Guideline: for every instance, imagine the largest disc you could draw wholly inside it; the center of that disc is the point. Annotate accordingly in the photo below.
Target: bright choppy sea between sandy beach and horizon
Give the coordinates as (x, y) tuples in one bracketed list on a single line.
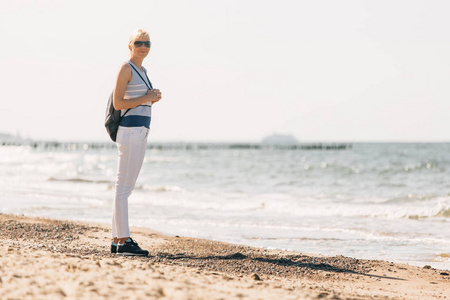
[(386, 201)]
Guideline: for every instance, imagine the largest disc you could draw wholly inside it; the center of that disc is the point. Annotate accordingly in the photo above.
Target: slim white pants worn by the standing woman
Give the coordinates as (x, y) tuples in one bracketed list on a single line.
[(131, 143)]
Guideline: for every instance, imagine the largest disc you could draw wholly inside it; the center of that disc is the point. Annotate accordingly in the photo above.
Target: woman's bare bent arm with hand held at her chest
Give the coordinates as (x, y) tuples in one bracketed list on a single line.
[(122, 80)]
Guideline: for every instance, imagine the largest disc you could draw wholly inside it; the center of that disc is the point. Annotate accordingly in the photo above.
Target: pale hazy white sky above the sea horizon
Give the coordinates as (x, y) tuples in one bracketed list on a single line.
[(234, 70)]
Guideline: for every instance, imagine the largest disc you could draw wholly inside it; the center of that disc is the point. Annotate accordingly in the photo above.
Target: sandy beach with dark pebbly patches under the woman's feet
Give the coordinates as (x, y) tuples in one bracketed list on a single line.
[(52, 259)]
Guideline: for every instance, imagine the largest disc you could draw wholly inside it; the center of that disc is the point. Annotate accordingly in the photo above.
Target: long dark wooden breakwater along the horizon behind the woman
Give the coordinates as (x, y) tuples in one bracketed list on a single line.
[(52, 145)]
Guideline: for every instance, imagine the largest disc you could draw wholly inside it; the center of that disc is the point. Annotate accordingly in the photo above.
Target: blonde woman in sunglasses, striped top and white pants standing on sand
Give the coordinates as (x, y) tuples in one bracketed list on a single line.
[(134, 96)]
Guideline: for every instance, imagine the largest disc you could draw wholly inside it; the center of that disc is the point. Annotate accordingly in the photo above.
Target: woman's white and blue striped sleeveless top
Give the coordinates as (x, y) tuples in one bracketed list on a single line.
[(140, 115)]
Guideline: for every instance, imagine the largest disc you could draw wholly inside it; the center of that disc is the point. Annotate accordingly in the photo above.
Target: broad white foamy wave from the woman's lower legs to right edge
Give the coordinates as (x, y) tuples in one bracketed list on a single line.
[(291, 207)]
